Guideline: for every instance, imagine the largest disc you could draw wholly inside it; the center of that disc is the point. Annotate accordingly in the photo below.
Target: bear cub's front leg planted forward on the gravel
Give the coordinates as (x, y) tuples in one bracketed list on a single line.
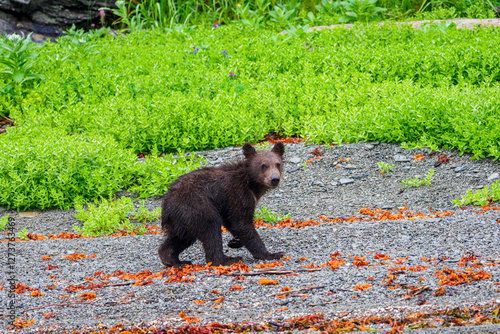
[(247, 235)]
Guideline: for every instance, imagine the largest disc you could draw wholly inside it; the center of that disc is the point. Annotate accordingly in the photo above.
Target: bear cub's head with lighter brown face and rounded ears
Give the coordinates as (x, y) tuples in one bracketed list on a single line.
[(265, 167)]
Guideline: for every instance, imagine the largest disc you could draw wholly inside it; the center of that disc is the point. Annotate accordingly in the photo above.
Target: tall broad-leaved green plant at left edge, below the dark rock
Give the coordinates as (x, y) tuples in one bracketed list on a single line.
[(18, 58)]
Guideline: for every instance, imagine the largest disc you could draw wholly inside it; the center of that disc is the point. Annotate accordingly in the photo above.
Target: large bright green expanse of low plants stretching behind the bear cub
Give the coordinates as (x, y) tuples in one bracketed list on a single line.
[(224, 86)]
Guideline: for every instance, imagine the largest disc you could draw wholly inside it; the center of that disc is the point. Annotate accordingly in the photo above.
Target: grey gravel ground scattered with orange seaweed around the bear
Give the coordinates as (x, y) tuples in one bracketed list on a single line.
[(345, 180)]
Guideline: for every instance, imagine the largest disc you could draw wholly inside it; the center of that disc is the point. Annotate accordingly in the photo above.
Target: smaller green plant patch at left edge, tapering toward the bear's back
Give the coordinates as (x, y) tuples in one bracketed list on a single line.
[(46, 168)]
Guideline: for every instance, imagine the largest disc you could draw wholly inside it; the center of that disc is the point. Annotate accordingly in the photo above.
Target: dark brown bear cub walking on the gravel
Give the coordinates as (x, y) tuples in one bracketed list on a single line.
[(199, 203)]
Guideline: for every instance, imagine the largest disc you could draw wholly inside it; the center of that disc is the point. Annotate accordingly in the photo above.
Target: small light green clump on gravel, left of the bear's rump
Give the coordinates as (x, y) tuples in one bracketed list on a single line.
[(105, 217)]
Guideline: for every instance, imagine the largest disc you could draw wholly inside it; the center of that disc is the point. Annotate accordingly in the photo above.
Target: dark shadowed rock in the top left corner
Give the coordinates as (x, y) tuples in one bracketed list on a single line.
[(47, 18)]
